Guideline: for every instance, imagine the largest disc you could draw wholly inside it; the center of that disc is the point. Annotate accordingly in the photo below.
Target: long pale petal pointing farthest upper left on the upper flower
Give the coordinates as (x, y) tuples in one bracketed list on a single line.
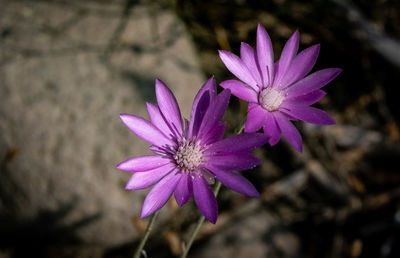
[(237, 67)]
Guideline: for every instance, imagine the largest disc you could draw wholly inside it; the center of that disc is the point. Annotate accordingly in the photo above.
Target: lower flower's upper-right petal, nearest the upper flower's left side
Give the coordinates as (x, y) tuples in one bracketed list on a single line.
[(215, 112)]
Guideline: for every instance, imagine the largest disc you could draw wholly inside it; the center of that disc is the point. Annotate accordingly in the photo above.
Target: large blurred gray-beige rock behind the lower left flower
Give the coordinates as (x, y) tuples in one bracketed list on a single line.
[(66, 72)]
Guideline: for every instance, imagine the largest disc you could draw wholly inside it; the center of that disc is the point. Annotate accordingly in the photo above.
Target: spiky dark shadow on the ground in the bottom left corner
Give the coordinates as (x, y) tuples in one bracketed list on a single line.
[(35, 237)]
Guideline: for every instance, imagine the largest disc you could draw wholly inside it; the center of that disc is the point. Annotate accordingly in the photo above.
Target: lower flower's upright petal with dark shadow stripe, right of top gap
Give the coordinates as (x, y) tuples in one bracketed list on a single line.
[(206, 94)]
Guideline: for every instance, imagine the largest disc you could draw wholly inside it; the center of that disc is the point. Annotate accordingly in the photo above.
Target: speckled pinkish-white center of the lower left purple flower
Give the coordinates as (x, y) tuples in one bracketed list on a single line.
[(188, 155)]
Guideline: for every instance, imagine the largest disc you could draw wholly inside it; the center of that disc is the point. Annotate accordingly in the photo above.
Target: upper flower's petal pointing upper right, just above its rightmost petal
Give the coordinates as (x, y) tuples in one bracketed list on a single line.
[(301, 65)]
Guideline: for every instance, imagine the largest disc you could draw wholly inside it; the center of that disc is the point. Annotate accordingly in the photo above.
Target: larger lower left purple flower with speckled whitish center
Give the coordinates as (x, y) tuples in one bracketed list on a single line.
[(189, 155)]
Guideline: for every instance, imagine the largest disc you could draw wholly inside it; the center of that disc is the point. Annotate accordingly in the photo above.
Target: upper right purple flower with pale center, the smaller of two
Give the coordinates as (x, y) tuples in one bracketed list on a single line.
[(278, 92)]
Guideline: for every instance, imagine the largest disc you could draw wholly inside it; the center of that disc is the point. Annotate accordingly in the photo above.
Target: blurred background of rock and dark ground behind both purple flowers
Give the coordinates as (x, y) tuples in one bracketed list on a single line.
[(68, 68)]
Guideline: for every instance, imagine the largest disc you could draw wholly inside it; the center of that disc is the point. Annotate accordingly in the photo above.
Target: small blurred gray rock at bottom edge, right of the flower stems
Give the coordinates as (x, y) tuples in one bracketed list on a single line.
[(257, 235)]
